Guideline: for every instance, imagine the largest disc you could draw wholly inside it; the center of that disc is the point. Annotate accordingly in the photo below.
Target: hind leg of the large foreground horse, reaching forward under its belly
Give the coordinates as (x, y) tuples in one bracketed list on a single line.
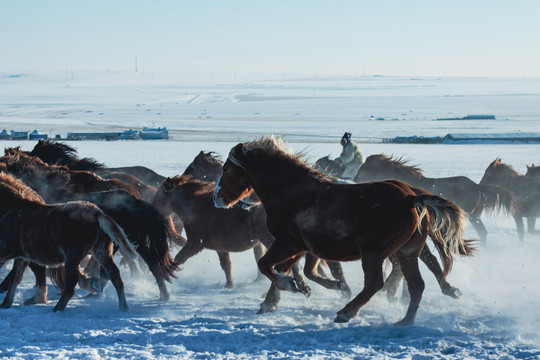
[(373, 282)]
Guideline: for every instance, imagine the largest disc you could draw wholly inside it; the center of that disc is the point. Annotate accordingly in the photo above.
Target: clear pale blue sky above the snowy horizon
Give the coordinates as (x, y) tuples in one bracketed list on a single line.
[(388, 37)]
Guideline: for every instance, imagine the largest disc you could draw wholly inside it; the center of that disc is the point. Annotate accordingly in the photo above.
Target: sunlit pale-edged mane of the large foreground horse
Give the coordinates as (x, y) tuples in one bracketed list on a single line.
[(273, 146)]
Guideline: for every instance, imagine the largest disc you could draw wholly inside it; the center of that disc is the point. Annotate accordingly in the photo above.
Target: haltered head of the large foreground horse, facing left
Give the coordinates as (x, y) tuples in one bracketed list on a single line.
[(233, 184)]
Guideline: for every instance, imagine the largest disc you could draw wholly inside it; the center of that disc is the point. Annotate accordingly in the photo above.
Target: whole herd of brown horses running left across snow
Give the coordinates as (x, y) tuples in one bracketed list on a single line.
[(60, 213)]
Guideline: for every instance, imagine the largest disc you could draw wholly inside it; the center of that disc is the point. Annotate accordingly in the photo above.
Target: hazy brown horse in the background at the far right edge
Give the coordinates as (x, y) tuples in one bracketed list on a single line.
[(525, 188)]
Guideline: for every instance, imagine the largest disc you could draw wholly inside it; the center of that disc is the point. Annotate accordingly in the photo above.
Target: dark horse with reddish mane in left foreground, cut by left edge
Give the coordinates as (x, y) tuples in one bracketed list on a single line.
[(52, 235)]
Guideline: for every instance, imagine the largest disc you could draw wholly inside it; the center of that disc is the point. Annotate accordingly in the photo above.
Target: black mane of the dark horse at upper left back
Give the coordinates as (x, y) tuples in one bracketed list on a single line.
[(55, 152)]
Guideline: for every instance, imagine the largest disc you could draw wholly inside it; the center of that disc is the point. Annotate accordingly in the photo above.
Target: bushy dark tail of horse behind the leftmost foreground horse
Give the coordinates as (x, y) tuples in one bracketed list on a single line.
[(155, 251)]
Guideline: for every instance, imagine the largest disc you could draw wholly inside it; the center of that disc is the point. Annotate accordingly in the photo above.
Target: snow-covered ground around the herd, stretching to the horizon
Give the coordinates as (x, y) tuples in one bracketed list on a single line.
[(498, 316)]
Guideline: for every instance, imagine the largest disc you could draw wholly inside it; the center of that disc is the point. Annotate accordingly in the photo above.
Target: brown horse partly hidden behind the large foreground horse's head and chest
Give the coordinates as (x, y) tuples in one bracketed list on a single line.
[(232, 230)]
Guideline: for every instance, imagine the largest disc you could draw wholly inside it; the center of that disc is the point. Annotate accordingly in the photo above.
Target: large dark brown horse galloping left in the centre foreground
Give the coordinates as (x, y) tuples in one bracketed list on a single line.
[(308, 213)]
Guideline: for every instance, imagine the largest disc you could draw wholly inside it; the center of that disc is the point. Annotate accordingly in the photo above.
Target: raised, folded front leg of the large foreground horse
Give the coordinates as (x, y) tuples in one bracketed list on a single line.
[(277, 254)]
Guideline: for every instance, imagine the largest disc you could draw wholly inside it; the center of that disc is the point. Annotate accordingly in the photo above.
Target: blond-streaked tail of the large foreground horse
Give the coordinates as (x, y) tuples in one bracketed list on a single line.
[(446, 226)]
